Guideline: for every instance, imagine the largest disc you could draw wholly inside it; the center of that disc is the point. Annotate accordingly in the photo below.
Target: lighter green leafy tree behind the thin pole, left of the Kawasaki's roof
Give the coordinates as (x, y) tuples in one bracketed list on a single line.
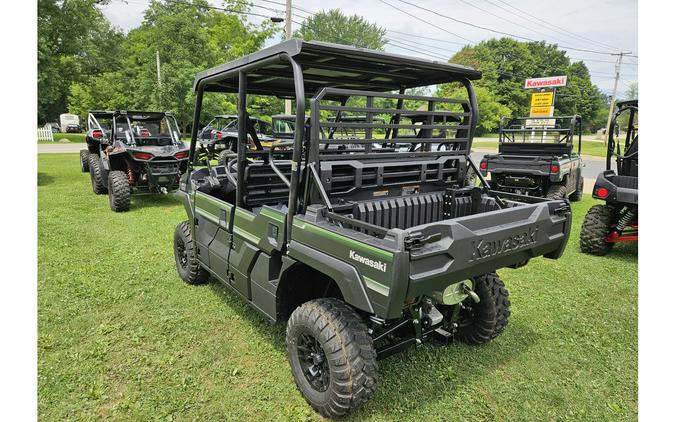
[(189, 37)]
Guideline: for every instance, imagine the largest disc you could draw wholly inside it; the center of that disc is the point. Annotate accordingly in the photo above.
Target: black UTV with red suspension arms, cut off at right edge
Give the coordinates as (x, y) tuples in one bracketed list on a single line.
[(616, 220)]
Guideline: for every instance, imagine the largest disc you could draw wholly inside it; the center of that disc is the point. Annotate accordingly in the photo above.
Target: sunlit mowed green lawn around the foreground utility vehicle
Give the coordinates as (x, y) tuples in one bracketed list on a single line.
[(121, 337)]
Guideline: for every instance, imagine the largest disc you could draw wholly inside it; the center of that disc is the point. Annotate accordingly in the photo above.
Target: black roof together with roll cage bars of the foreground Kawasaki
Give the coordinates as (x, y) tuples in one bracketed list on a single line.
[(251, 71)]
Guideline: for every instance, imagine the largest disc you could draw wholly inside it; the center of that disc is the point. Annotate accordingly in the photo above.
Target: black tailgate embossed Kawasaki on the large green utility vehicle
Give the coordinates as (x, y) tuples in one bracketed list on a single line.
[(457, 249)]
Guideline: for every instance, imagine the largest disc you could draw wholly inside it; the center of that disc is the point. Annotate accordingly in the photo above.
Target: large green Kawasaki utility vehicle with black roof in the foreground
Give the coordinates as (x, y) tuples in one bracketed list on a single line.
[(364, 250)]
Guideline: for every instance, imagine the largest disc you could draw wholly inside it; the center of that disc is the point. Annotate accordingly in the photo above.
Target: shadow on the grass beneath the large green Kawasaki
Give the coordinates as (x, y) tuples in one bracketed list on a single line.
[(431, 366)]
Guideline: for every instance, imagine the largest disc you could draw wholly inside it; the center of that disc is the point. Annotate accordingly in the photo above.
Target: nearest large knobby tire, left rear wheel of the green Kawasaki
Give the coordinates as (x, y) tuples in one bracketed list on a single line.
[(332, 357)]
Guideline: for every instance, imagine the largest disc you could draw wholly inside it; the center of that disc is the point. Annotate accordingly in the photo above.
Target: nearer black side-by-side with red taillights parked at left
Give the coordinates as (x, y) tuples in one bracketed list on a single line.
[(138, 152)]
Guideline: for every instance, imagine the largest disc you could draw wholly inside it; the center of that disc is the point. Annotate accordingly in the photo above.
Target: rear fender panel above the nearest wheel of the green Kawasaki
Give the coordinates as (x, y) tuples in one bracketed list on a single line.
[(345, 275)]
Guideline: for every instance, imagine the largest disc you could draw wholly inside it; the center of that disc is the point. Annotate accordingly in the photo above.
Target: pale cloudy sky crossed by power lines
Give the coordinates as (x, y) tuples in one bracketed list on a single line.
[(598, 25)]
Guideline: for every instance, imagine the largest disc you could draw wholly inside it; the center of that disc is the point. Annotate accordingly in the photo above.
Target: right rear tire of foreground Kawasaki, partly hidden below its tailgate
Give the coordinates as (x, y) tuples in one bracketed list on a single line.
[(481, 322)]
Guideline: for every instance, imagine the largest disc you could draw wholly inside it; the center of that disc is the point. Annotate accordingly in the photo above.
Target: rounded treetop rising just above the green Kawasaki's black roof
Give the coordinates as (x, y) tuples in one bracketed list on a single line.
[(334, 26)]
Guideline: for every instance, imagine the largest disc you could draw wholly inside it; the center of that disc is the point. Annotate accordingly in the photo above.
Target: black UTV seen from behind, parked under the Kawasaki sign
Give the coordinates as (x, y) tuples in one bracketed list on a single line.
[(536, 157)]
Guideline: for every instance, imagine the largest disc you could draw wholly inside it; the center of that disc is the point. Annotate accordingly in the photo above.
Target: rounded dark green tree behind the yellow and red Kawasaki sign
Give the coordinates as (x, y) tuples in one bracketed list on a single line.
[(506, 63)]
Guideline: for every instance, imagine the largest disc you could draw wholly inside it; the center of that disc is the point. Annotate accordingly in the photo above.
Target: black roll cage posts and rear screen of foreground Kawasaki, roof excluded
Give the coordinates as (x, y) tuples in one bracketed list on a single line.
[(246, 65)]
